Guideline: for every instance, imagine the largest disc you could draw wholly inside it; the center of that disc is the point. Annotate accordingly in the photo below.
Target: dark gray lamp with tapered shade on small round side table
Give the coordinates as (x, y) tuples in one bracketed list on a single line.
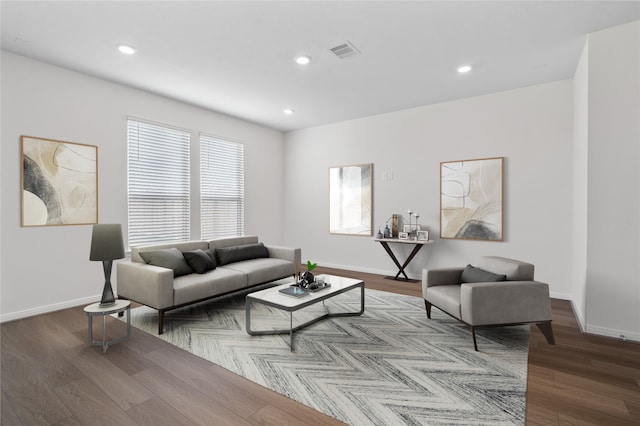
[(106, 245)]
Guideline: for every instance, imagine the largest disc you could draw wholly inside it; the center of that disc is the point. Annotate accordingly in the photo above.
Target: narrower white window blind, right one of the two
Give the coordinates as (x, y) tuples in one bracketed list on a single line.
[(221, 188)]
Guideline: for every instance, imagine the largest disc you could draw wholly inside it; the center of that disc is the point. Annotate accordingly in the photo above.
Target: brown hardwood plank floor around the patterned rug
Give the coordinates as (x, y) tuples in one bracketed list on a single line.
[(51, 376)]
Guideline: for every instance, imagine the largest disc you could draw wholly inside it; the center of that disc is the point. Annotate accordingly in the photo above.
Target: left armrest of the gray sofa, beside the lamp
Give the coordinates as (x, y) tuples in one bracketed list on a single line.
[(147, 284)]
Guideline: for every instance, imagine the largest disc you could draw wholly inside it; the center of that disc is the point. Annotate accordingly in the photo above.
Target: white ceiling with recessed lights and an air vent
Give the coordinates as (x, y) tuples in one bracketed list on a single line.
[(238, 57)]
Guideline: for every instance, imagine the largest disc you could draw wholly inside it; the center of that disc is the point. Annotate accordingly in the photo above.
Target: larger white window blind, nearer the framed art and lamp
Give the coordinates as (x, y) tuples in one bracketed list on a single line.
[(158, 183)]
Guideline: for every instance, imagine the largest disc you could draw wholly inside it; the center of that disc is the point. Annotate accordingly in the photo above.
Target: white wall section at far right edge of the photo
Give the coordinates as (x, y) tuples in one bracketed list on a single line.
[(613, 242)]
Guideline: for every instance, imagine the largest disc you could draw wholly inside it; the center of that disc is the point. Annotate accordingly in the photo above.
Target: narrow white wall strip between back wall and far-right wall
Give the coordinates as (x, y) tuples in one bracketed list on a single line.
[(580, 180)]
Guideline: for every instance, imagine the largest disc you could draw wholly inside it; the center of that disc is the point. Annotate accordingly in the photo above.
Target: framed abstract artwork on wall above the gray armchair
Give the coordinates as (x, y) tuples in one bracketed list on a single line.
[(471, 199)]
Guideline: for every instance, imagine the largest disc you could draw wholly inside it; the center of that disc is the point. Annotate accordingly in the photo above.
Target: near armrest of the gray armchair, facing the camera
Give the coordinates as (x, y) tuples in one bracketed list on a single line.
[(505, 302)]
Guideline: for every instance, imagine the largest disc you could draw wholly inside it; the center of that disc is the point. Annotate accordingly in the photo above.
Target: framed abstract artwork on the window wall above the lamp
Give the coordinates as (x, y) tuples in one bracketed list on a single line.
[(59, 182)]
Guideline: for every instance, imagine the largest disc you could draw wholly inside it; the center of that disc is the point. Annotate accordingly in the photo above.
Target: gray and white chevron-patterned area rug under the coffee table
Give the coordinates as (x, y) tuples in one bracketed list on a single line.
[(390, 366)]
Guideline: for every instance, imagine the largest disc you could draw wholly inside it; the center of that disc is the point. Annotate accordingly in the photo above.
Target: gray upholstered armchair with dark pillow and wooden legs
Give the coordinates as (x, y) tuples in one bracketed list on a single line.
[(496, 292)]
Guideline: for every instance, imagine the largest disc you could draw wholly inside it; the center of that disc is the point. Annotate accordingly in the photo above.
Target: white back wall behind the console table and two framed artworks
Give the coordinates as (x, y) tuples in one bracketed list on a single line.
[(530, 127)]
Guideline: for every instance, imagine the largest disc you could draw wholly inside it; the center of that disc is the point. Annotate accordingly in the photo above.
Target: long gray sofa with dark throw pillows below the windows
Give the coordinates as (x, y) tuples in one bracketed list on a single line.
[(240, 263)]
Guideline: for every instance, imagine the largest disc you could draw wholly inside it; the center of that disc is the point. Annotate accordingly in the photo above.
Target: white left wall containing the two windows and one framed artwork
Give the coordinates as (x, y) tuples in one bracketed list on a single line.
[(48, 268)]
